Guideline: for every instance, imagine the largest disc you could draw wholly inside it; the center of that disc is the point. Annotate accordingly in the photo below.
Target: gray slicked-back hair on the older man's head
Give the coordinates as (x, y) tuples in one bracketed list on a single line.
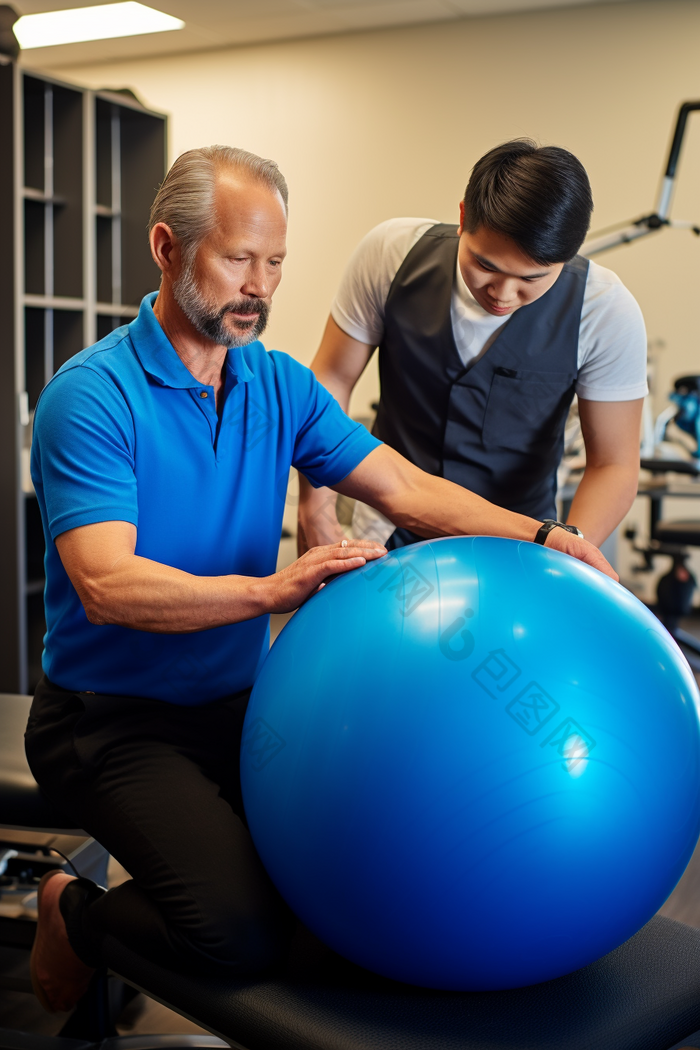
[(185, 201)]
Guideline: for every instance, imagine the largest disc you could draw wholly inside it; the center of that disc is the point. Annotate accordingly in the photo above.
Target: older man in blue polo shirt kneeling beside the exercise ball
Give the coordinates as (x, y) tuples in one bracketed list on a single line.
[(161, 459)]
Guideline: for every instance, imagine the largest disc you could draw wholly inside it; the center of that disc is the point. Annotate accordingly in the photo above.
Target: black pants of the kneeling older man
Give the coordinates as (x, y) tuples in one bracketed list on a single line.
[(158, 785)]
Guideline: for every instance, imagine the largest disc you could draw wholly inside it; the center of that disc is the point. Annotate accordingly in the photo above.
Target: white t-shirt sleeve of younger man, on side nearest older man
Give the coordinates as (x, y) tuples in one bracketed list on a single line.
[(358, 308)]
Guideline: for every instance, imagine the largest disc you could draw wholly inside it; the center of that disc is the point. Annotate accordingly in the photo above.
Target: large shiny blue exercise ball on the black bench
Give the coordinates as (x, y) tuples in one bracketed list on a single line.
[(474, 765)]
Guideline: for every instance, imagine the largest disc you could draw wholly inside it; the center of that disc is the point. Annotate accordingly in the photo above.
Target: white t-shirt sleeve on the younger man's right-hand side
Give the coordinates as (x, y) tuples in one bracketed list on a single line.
[(612, 347)]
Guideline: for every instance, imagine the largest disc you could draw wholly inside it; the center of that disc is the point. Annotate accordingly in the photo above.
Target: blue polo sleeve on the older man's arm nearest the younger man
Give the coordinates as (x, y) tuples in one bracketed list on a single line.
[(328, 445)]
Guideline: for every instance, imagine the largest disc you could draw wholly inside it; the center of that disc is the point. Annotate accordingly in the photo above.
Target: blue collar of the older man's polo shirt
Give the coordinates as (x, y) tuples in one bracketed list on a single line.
[(160, 359)]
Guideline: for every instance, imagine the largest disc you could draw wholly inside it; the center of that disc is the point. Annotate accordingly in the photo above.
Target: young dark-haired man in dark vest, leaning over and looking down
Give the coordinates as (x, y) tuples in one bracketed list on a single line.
[(486, 331)]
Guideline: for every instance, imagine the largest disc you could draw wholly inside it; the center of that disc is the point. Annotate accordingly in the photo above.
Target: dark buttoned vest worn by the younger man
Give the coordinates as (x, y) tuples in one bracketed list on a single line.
[(496, 428)]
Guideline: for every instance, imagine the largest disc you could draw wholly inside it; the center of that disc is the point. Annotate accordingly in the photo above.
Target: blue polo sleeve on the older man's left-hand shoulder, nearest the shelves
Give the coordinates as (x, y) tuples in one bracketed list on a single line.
[(82, 452)]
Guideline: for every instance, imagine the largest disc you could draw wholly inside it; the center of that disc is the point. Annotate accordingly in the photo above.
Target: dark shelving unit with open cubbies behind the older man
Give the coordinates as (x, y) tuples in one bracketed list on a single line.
[(79, 171)]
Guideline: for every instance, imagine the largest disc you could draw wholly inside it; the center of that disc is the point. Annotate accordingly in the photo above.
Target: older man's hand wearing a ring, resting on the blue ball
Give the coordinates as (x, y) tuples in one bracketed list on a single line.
[(292, 586)]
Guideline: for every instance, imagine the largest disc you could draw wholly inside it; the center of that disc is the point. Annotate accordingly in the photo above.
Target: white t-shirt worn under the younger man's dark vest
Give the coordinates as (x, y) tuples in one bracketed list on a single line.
[(612, 340)]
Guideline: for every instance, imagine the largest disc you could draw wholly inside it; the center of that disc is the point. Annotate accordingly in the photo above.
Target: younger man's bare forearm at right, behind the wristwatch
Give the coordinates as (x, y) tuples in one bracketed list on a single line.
[(603, 499)]
